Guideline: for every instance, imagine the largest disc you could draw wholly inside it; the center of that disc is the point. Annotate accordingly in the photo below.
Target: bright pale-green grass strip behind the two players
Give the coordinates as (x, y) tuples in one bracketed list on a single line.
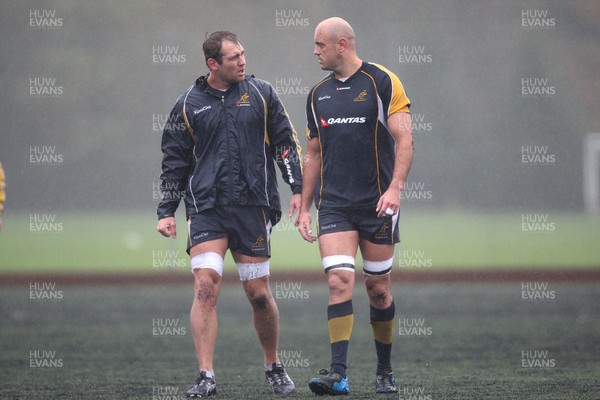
[(129, 243)]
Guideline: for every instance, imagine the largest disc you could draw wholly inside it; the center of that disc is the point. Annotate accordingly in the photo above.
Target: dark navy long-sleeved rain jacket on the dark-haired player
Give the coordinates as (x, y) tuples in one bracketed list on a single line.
[(220, 148)]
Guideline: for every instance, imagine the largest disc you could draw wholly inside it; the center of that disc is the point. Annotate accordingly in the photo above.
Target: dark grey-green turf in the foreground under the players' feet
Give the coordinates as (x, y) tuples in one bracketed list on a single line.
[(479, 341)]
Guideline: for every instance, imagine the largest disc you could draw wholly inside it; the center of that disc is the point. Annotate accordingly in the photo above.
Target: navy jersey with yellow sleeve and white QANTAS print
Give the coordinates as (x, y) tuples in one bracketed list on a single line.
[(349, 118)]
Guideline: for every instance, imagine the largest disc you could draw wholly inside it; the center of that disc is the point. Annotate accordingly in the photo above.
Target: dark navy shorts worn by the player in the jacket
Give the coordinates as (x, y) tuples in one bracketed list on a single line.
[(248, 228)]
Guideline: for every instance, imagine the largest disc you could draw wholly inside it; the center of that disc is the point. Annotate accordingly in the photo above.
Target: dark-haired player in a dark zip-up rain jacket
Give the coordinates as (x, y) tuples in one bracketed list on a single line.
[(220, 146)]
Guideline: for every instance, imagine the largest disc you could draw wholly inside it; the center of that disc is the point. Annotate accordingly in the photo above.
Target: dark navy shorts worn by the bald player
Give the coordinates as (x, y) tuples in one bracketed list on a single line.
[(364, 220)]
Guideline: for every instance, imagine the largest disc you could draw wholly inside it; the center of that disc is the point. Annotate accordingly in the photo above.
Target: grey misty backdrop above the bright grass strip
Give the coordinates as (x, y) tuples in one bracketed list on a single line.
[(503, 93)]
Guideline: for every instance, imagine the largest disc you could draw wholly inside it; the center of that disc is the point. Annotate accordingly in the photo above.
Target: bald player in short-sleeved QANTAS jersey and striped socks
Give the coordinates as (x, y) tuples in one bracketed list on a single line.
[(359, 153)]
